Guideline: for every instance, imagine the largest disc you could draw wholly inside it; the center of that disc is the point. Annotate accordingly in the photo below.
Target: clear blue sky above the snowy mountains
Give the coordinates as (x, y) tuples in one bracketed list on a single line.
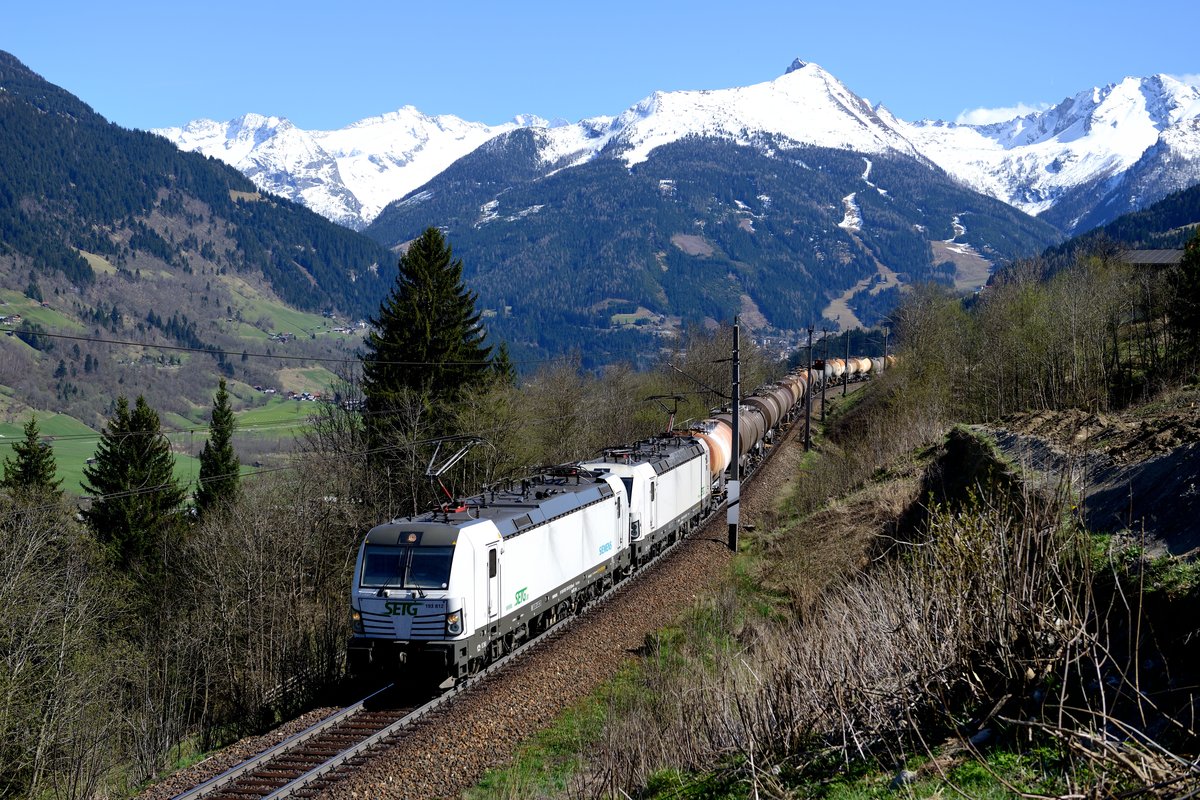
[(326, 65)]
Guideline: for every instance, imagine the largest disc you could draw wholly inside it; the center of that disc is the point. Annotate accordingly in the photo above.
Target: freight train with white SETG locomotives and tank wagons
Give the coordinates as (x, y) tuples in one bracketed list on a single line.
[(445, 594)]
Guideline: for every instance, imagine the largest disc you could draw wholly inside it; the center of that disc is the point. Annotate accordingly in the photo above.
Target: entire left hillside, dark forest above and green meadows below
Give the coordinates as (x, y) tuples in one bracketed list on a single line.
[(115, 244)]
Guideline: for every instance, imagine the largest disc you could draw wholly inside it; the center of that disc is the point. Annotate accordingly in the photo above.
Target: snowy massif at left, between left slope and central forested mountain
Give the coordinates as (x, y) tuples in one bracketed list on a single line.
[(346, 176)]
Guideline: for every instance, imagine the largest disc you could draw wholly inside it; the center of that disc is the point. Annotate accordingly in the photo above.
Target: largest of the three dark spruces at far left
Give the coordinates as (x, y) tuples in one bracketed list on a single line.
[(136, 498)]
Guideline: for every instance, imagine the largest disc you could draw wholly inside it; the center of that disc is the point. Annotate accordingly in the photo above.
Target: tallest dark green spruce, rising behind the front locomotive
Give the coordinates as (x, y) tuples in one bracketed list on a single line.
[(428, 338)]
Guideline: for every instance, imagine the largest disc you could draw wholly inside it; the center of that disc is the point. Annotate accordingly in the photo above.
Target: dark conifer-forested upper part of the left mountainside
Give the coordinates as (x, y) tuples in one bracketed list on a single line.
[(75, 182)]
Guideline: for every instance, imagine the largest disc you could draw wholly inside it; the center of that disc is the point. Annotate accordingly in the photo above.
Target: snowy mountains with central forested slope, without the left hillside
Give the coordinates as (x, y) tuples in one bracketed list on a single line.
[(793, 202)]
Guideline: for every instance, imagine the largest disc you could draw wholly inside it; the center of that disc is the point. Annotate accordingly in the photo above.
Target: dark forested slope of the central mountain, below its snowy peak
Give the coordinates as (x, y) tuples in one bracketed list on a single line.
[(700, 231)]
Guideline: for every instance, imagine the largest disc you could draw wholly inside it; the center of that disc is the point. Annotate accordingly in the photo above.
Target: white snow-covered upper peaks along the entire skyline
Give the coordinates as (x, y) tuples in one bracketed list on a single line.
[(1078, 154)]
